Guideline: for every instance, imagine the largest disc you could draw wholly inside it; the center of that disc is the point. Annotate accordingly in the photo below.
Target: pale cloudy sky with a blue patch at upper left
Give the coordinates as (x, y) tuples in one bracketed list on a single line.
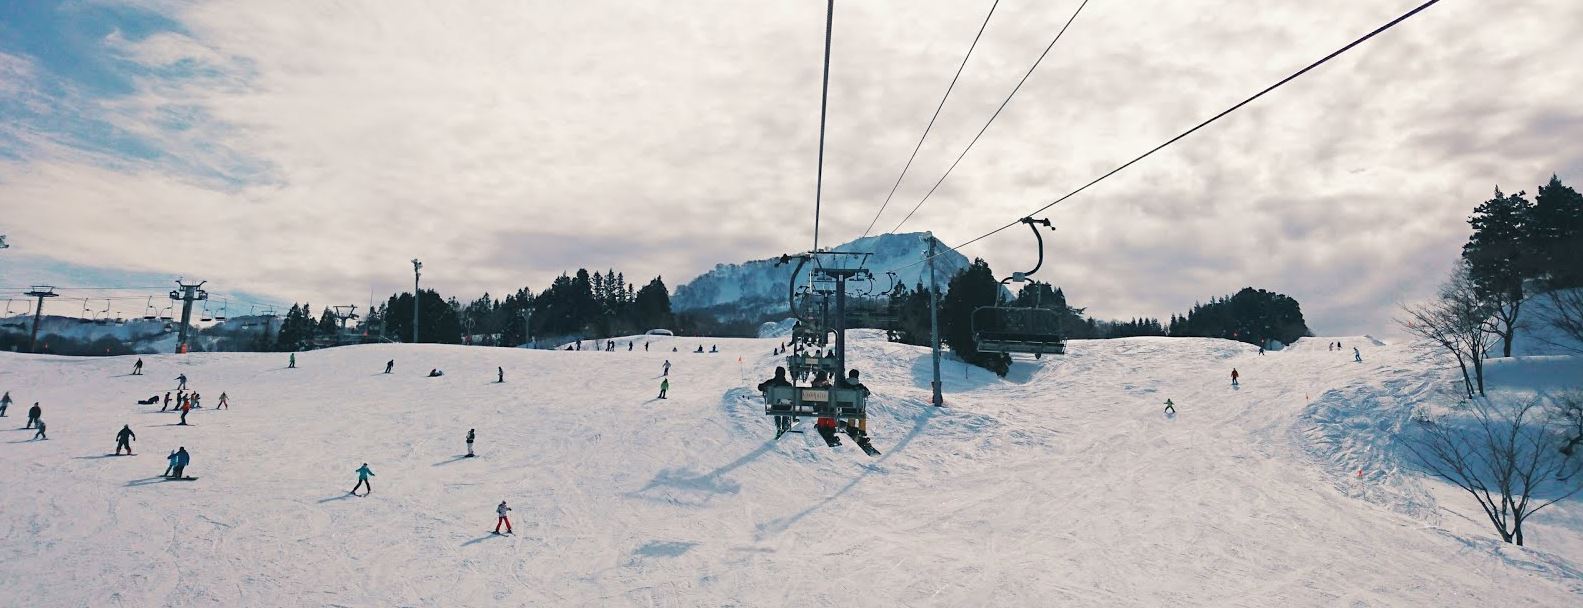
[(308, 150)]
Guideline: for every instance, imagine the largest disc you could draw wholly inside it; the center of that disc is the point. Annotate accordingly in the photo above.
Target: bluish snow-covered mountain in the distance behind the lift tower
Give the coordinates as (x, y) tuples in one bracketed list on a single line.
[(759, 287)]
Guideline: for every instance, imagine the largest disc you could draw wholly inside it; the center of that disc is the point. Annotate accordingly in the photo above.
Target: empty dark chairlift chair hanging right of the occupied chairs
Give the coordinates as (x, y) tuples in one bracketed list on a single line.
[(1020, 329)]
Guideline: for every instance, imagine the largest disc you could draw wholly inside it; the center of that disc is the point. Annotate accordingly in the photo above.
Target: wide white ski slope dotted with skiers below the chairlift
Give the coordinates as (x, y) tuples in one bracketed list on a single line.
[(1058, 485)]
